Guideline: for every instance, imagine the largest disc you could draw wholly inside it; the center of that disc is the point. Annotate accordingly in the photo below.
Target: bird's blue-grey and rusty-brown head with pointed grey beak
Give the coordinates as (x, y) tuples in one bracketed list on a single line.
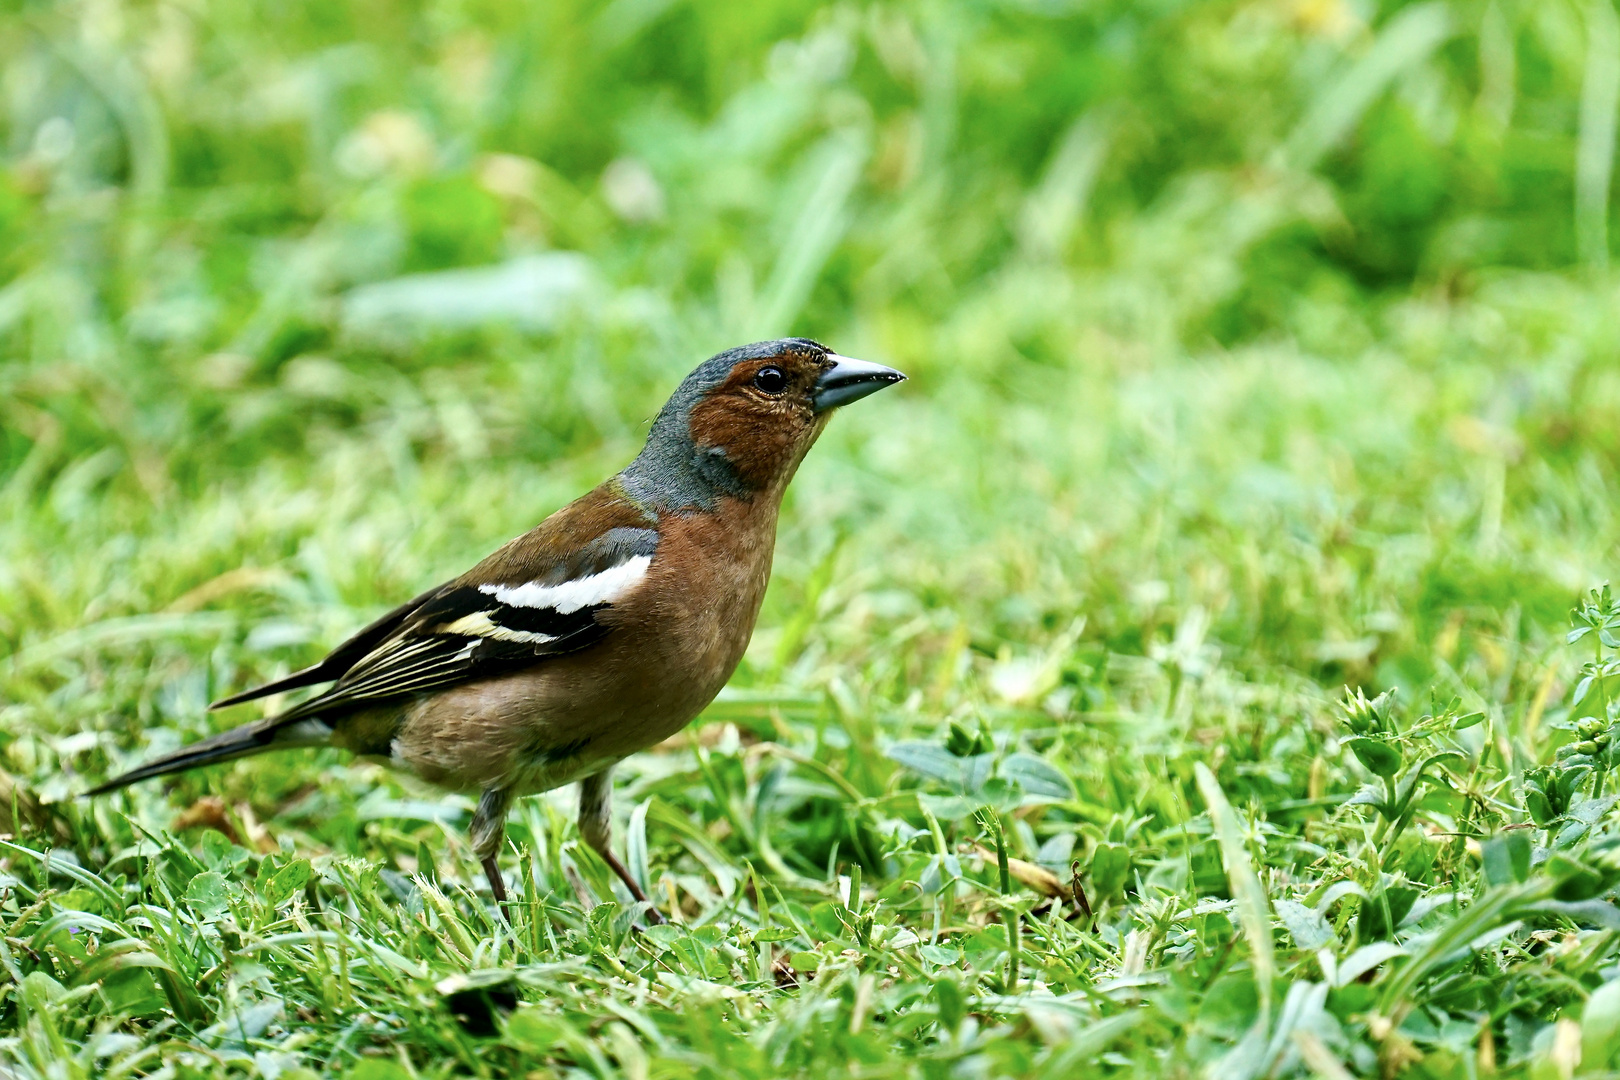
[(743, 420)]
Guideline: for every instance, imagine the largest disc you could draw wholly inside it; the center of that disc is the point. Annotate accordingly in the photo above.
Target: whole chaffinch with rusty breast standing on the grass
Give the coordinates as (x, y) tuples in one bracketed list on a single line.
[(600, 632)]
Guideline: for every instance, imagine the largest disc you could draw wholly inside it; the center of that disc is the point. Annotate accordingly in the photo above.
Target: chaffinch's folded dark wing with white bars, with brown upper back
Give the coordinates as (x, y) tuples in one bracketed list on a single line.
[(539, 597)]
